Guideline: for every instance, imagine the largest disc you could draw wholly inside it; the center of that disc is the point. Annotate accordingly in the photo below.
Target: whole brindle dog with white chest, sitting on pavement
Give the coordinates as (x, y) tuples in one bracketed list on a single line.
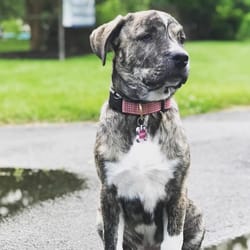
[(141, 152)]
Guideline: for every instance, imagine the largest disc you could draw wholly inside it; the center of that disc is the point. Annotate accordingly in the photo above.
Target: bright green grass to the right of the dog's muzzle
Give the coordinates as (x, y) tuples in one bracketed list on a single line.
[(219, 77)]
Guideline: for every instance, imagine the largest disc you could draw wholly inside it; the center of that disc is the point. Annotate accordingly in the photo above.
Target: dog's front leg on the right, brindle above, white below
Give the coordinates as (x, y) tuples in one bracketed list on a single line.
[(173, 221)]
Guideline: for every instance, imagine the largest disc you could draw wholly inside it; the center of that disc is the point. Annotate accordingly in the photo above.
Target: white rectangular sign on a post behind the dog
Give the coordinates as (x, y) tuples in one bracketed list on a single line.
[(78, 13)]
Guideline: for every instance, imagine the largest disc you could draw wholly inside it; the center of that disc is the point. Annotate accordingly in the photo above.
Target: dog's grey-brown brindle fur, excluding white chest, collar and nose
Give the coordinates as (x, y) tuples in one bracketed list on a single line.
[(144, 70)]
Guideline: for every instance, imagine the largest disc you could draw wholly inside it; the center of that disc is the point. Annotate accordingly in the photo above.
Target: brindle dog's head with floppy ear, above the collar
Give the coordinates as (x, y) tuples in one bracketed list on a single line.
[(150, 63)]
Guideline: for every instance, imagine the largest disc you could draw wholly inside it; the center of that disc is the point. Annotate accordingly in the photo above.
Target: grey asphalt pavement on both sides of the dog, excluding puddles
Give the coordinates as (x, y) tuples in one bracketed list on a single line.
[(219, 180)]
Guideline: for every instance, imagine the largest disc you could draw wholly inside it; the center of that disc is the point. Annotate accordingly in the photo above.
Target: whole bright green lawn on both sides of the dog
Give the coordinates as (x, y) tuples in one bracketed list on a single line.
[(73, 90)]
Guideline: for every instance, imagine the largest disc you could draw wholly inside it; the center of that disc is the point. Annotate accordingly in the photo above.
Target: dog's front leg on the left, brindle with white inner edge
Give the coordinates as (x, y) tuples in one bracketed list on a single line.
[(113, 221)]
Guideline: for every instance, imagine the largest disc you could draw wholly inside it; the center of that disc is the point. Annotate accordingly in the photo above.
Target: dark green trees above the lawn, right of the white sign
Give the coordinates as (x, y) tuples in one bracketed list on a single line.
[(207, 19)]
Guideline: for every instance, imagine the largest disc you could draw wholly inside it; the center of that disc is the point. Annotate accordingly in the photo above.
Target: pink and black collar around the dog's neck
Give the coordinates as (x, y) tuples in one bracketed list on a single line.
[(122, 105)]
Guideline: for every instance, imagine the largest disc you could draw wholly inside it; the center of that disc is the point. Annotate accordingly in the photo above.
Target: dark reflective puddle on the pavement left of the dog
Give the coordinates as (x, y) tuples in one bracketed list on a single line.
[(22, 188)]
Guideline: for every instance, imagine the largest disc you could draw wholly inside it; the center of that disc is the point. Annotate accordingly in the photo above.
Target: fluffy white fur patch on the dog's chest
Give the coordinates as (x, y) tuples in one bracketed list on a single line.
[(142, 173)]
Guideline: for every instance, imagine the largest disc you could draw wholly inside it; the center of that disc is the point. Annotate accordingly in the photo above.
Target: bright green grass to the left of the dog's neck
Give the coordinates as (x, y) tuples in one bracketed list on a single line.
[(49, 90)]
